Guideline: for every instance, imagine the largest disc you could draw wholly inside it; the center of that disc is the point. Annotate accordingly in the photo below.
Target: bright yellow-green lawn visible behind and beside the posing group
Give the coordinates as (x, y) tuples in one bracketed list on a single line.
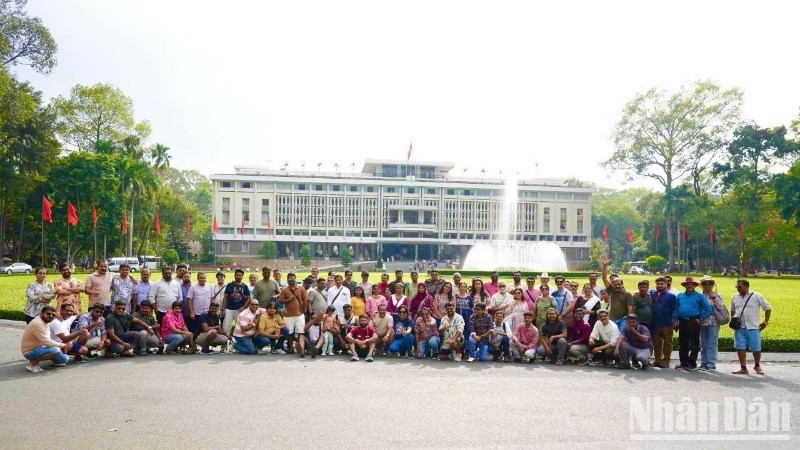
[(783, 334)]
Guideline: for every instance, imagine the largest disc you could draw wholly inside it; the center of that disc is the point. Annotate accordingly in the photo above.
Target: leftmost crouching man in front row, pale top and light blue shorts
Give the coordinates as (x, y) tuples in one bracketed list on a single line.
[(36, 344)]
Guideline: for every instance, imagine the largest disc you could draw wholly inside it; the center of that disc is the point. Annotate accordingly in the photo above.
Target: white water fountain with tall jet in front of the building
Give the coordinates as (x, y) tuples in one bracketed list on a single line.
[(508, 253)]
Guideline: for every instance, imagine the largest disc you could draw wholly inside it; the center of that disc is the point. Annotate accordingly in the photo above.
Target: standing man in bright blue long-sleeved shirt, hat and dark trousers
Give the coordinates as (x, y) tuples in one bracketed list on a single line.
[(691, 309)]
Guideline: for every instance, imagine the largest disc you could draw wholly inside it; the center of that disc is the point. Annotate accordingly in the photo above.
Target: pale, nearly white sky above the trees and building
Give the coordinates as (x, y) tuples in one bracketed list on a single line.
[(488, 85)]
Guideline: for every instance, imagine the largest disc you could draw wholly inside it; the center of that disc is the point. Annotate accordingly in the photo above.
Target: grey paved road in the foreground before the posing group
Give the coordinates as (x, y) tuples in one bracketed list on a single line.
[(265, 401)]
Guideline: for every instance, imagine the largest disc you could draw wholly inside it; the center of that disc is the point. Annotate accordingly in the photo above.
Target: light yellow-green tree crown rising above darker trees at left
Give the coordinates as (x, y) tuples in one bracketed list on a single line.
[(95, 113)]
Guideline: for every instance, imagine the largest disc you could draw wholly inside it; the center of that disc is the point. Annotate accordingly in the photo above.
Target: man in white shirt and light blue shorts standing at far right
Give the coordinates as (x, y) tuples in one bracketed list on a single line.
[(747, 306)]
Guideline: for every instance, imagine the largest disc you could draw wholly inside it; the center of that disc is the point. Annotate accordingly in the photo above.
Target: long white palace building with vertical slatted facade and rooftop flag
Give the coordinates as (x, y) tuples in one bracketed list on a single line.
[(411, 210)]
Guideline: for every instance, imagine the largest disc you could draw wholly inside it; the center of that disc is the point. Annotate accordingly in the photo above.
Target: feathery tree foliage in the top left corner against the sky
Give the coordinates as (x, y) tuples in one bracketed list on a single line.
[(25, 40)]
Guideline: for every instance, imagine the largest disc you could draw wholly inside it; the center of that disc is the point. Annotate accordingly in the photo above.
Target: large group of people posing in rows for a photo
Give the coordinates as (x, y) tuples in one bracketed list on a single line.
[(460, 320)]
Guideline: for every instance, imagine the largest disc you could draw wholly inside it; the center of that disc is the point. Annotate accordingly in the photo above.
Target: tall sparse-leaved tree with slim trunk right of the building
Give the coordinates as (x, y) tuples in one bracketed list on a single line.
[(667, 137)]
